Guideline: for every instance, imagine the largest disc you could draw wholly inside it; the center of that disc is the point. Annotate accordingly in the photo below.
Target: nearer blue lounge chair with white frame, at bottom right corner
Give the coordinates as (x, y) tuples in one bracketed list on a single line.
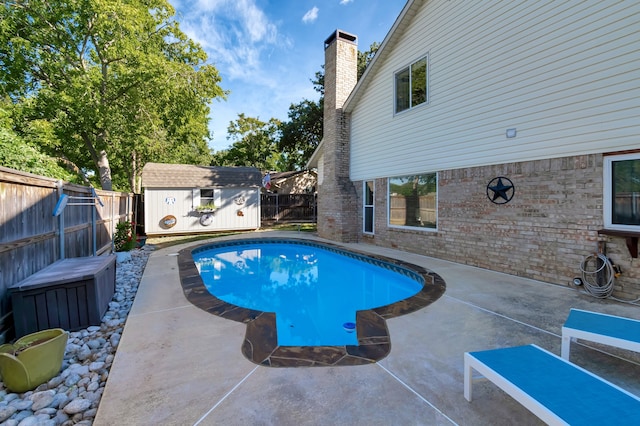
[(552, 388)]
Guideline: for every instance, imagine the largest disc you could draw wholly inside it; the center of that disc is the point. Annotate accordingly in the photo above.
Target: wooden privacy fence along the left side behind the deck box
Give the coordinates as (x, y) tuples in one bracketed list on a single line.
[(30, 235)]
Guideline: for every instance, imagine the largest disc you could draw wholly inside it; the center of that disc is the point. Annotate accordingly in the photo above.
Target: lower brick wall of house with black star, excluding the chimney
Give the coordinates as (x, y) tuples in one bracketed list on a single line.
[(543, 233)]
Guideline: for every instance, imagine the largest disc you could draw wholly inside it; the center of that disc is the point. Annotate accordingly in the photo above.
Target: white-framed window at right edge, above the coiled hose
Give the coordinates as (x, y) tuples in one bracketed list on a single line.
[(622, 192)]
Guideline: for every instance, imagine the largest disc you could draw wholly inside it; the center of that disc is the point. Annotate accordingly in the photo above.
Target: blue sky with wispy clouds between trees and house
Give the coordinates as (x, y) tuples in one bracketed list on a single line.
[(268, 51)]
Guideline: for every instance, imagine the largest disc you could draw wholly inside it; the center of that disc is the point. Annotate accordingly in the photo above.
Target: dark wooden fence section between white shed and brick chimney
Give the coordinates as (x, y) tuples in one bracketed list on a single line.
[(288, 208)]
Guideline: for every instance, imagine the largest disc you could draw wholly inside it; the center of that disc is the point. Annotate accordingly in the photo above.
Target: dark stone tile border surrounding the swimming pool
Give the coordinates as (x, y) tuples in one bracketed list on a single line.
[(260, 343)]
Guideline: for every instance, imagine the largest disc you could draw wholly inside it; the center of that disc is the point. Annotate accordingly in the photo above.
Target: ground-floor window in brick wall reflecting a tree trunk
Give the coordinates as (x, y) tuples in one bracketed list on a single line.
[(413, 201)]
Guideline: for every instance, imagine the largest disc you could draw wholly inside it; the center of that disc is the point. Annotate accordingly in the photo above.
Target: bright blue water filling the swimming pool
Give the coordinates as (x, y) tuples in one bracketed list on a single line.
[(314, 292)]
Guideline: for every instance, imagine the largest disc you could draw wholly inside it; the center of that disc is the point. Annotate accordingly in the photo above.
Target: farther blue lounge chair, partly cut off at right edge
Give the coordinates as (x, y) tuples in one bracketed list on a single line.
[(600, 328)]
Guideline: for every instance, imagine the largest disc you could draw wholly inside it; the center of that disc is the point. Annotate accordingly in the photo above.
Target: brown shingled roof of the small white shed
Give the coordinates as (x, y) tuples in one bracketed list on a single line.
[(160, 175)]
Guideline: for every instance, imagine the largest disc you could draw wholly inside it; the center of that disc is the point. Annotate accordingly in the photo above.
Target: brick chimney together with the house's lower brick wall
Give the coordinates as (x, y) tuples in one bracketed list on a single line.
[(543, 233)]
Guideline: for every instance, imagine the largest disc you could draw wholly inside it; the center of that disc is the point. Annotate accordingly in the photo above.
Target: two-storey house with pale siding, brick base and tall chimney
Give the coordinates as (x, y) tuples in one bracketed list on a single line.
[(504, 135)]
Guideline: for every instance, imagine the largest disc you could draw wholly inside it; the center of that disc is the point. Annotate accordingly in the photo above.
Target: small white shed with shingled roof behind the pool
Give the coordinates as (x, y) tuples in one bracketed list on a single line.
[(183, 198)]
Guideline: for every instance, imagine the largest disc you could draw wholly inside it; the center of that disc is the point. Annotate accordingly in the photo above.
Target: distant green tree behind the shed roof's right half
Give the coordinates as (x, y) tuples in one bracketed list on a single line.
[(254, 144)]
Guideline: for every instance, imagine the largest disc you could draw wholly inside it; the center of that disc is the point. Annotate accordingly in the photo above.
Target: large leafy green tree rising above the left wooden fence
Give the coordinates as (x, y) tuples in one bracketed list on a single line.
[(118, 81)]
